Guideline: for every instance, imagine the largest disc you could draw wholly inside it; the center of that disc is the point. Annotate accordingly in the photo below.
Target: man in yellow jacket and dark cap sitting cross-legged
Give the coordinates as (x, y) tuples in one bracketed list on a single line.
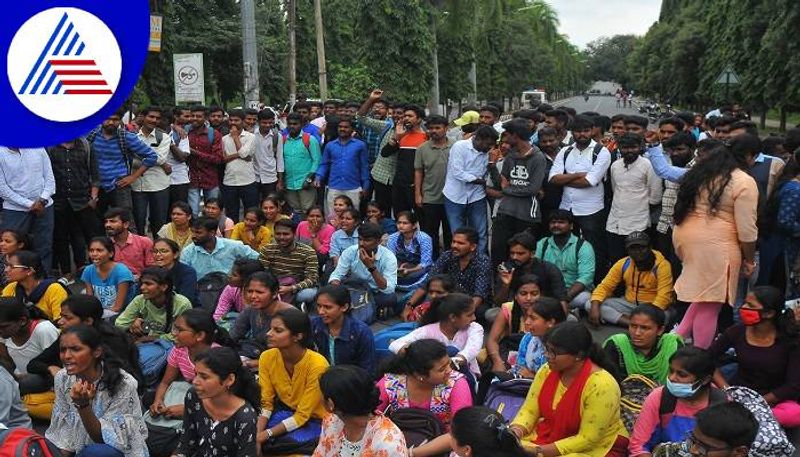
[(647, 276)]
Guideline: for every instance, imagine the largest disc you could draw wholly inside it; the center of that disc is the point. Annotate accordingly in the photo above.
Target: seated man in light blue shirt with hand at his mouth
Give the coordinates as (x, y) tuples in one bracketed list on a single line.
[(369, 263)]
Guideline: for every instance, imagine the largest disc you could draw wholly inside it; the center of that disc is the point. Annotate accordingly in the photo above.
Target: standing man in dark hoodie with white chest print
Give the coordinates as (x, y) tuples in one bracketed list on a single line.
[(521, 178)]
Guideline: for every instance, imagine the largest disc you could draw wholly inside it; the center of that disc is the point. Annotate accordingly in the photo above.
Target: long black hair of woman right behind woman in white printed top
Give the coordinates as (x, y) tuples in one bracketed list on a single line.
[(89, 306)]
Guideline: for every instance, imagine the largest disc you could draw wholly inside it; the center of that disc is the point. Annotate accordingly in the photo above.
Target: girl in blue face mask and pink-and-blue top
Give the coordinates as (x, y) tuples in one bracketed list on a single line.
[(668, 411)]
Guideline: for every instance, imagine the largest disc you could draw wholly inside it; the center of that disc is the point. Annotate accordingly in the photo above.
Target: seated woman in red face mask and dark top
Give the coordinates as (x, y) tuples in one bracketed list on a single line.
[(767, 352)]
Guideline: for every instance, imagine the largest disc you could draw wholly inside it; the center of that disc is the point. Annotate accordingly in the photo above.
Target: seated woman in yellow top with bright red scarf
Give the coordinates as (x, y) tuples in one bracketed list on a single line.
[(572, 407)]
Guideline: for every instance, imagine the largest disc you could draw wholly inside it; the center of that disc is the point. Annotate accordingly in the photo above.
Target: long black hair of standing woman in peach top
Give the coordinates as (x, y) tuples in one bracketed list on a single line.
[(712, 174)]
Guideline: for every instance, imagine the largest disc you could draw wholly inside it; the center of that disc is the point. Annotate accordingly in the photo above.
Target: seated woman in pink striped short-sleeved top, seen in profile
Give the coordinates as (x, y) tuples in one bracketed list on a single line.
[(195, 331)]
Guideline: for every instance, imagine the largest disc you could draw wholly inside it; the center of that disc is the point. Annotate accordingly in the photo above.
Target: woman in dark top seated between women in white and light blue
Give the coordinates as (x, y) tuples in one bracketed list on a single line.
[(510, 324)]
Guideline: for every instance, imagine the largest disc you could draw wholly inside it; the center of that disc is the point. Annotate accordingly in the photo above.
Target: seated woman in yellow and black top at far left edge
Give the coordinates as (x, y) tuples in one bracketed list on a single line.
[(27, 283)]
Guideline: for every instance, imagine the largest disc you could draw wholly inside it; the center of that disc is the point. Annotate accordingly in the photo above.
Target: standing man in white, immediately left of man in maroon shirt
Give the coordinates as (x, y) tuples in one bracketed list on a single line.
[(179, 153)]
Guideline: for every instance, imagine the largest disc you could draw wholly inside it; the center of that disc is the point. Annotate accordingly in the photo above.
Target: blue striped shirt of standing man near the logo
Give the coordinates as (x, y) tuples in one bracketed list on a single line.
[(112, 163)]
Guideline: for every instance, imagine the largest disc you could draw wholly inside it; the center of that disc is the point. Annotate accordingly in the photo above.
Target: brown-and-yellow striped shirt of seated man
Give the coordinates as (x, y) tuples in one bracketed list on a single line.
[(300, 262)]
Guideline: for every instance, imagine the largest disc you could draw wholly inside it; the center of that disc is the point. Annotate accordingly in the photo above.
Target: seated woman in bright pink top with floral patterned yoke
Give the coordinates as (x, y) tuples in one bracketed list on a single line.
[(422, 377)]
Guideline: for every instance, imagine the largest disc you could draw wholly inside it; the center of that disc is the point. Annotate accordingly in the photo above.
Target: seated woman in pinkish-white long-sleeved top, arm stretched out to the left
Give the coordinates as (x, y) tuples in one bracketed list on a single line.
[(451, 320)]
